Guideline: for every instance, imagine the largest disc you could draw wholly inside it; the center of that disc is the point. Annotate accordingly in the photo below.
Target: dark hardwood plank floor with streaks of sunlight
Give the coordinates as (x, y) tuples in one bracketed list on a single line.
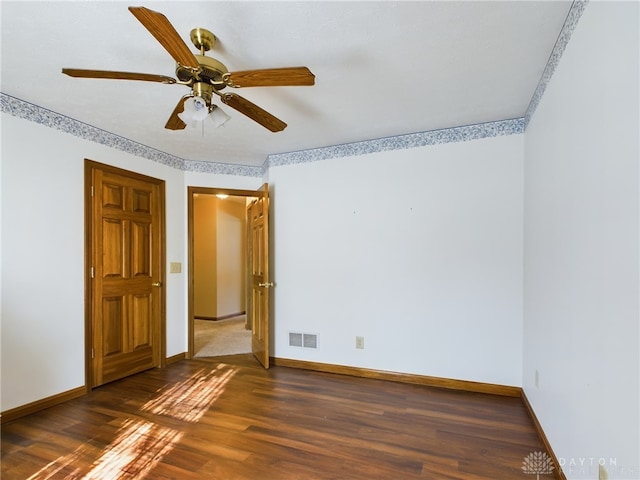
[(227, 418)]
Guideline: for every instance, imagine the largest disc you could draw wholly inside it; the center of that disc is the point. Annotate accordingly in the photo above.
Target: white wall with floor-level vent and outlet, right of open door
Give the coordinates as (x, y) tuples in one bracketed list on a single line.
[(419, 251)]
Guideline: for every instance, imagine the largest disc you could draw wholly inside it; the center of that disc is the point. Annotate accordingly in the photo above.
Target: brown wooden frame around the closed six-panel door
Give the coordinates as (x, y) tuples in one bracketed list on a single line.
[(159, 329)]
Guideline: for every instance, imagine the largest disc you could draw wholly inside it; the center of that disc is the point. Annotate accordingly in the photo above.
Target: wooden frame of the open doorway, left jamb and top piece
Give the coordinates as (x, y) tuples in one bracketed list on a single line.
[(191, 191)]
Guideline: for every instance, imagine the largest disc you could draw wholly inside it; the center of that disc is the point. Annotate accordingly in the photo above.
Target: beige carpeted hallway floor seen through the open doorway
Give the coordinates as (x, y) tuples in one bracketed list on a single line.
[(221, 337)]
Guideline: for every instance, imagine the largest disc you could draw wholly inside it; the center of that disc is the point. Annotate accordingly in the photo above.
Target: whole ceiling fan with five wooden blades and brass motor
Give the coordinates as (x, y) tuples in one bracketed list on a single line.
[(206, 76)]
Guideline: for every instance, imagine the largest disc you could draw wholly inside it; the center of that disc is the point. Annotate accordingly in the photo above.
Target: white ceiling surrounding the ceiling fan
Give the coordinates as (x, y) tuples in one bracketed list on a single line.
[(382, 68)]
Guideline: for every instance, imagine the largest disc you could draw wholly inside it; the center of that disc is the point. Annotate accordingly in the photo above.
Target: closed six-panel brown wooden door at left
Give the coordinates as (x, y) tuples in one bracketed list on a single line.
[(126, 268)]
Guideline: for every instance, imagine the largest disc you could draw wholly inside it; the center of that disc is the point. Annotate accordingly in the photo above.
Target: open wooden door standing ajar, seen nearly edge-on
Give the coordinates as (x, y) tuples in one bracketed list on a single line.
[(259, 283)]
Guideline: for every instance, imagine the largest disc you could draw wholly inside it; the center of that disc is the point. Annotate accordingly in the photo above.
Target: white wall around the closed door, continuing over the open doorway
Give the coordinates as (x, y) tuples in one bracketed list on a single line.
[(42, 310)]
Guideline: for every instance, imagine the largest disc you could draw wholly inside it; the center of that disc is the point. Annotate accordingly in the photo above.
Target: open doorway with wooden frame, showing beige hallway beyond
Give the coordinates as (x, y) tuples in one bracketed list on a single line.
[(218, 272)]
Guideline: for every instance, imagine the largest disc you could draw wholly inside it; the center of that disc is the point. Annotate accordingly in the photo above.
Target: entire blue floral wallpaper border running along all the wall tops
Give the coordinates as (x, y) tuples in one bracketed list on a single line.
[(34, 113)]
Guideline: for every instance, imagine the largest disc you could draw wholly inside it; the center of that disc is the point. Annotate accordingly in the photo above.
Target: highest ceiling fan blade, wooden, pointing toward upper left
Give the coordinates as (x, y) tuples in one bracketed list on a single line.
[(160, 27)]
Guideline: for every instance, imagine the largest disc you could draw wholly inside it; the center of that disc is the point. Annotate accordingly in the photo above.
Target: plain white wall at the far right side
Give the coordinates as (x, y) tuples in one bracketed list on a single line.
[(581, 326)]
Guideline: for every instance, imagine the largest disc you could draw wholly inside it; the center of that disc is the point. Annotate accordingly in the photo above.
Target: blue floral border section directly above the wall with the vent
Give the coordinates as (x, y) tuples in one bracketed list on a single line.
[(401, 142)]
